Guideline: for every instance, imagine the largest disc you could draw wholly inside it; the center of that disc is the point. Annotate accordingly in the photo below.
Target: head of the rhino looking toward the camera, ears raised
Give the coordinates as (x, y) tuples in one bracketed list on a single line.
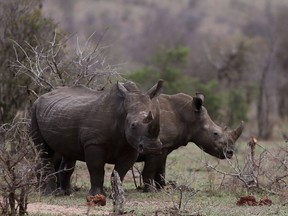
[(142, 123)]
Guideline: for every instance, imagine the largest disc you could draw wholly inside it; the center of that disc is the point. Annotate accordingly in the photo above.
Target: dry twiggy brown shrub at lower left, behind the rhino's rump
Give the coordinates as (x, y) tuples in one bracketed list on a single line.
[(18, 161)]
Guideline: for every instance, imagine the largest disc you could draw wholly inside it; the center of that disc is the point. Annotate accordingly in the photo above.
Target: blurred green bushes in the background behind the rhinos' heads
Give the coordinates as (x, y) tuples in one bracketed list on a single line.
[(169, 65)]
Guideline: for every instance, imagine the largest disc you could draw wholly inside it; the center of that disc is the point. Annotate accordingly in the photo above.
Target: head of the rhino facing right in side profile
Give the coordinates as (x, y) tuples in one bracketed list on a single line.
[(213, 139)]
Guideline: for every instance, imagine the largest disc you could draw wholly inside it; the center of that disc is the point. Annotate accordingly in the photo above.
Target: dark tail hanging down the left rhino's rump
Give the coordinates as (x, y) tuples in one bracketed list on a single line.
[(36, 136)]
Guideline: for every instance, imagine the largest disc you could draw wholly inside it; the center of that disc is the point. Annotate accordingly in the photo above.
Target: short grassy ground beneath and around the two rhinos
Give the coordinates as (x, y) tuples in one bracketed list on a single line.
[(207, 191)]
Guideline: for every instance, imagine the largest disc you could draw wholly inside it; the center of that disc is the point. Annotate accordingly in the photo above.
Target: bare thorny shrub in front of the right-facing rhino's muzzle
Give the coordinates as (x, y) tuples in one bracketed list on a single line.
[(263, 170)]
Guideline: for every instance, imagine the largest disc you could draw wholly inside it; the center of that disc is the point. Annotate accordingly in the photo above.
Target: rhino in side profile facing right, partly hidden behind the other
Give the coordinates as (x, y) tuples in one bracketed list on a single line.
[(184, 120)]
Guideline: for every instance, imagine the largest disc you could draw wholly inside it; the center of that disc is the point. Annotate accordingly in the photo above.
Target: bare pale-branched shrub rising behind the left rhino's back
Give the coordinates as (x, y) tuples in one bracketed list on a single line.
[(58, 63)]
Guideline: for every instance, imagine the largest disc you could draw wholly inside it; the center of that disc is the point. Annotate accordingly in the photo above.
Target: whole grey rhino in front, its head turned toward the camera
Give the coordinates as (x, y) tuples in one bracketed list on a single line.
[(97, 127)]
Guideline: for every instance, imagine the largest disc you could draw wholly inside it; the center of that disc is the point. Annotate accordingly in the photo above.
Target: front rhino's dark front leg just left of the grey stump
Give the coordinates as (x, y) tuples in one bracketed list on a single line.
[(95, 161)]
